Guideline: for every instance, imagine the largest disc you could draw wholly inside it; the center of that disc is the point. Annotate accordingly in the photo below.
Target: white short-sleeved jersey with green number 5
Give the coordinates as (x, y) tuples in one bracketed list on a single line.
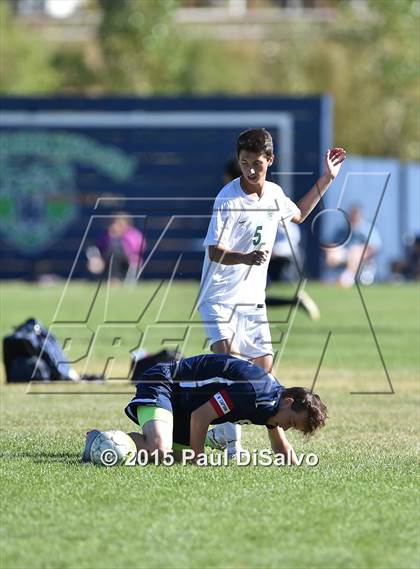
[(242, 223)]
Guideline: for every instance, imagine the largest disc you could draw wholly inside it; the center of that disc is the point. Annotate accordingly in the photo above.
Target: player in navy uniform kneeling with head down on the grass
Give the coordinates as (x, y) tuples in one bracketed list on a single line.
[(176, 402)]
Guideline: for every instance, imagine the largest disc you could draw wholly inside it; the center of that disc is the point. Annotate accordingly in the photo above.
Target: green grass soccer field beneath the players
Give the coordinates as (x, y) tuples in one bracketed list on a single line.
[(359, 508)]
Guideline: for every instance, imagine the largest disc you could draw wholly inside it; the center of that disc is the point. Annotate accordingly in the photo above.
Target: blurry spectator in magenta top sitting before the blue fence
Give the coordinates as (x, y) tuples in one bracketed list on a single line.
[(121, 250)]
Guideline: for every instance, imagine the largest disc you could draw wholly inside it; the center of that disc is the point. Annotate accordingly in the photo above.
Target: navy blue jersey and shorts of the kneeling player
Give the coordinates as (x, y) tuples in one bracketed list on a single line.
[(238, 390)]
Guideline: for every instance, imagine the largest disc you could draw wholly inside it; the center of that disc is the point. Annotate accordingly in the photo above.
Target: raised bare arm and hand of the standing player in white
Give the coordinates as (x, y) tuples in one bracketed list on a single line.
[(334, 158)]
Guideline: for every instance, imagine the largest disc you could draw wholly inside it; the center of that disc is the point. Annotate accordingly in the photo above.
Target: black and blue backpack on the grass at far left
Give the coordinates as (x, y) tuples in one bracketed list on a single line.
[(31, 353)]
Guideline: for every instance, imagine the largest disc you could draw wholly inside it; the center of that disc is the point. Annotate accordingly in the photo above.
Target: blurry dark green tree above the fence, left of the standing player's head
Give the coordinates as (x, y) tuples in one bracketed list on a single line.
[(140, 49)]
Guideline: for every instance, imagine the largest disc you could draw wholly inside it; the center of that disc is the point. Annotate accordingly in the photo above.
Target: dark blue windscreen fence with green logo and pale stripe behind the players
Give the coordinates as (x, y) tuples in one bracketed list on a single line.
[(68, 165)]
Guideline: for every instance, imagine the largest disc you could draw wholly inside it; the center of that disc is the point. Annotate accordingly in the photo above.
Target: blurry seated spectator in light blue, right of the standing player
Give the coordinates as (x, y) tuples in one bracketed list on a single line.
[(355, 248)]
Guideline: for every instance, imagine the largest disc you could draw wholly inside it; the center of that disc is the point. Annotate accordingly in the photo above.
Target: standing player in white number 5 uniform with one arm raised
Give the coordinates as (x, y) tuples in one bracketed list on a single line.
[(239, 243)]
